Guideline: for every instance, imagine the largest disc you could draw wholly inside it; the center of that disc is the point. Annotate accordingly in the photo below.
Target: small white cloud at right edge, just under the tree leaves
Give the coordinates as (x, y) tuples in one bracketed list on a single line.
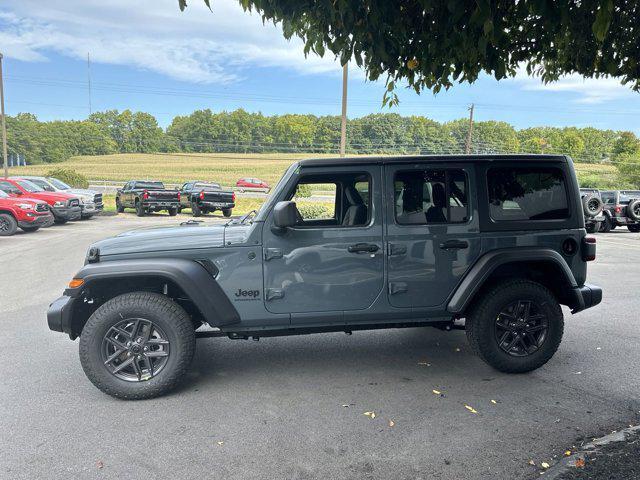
[(584, 90)]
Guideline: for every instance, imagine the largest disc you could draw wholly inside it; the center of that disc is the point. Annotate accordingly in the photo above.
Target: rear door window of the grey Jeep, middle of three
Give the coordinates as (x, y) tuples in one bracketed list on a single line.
[(435, 196)]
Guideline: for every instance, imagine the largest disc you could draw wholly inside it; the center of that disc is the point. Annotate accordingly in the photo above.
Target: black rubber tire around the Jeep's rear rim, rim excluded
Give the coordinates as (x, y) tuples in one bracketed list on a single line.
[(483, 314)]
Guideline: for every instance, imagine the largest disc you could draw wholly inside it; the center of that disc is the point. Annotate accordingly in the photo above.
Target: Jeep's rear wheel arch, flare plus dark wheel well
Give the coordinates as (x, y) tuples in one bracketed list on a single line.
[(541, 265)]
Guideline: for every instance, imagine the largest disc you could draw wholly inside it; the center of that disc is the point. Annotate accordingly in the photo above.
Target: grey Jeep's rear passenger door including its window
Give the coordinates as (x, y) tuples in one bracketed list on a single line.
[(432, 231)]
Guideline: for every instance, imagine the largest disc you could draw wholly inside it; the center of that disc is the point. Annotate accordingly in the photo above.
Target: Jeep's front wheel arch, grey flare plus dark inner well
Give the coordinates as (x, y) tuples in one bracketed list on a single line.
[(190, 283)]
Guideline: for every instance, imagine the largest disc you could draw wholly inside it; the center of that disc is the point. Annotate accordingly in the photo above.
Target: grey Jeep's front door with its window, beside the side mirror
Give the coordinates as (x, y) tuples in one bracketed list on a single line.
[(331, 261)]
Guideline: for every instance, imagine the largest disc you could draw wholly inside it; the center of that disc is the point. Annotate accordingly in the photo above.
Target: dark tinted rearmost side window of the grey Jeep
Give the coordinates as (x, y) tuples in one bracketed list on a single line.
[(527, 194)]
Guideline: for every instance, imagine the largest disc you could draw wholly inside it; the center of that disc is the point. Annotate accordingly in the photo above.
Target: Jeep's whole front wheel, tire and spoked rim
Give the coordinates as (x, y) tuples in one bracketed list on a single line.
[(137, 345)]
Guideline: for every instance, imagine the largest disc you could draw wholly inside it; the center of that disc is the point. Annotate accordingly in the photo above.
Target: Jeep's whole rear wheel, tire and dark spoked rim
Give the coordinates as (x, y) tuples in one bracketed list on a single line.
[(516, 326)]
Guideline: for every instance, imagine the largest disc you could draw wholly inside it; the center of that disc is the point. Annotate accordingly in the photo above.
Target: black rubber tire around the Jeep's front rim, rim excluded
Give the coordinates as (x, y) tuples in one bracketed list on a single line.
[(160, 309)]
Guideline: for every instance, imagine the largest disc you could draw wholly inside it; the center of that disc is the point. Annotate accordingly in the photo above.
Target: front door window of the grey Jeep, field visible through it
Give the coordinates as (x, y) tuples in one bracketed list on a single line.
[(336, 200)]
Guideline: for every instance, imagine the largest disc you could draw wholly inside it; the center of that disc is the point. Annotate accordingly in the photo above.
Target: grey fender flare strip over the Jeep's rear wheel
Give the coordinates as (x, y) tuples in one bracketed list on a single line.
[(487, 264)]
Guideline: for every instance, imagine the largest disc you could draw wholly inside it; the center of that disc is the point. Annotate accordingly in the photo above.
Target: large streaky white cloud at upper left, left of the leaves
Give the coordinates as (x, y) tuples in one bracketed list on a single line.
[(196, 45)]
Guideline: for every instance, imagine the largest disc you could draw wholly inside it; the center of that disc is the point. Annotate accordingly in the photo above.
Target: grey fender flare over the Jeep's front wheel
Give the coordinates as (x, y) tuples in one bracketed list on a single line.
[(196, 279)]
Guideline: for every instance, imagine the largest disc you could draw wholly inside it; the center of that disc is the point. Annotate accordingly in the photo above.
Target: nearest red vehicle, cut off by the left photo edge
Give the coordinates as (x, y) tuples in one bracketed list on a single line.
[(25, 213)]
